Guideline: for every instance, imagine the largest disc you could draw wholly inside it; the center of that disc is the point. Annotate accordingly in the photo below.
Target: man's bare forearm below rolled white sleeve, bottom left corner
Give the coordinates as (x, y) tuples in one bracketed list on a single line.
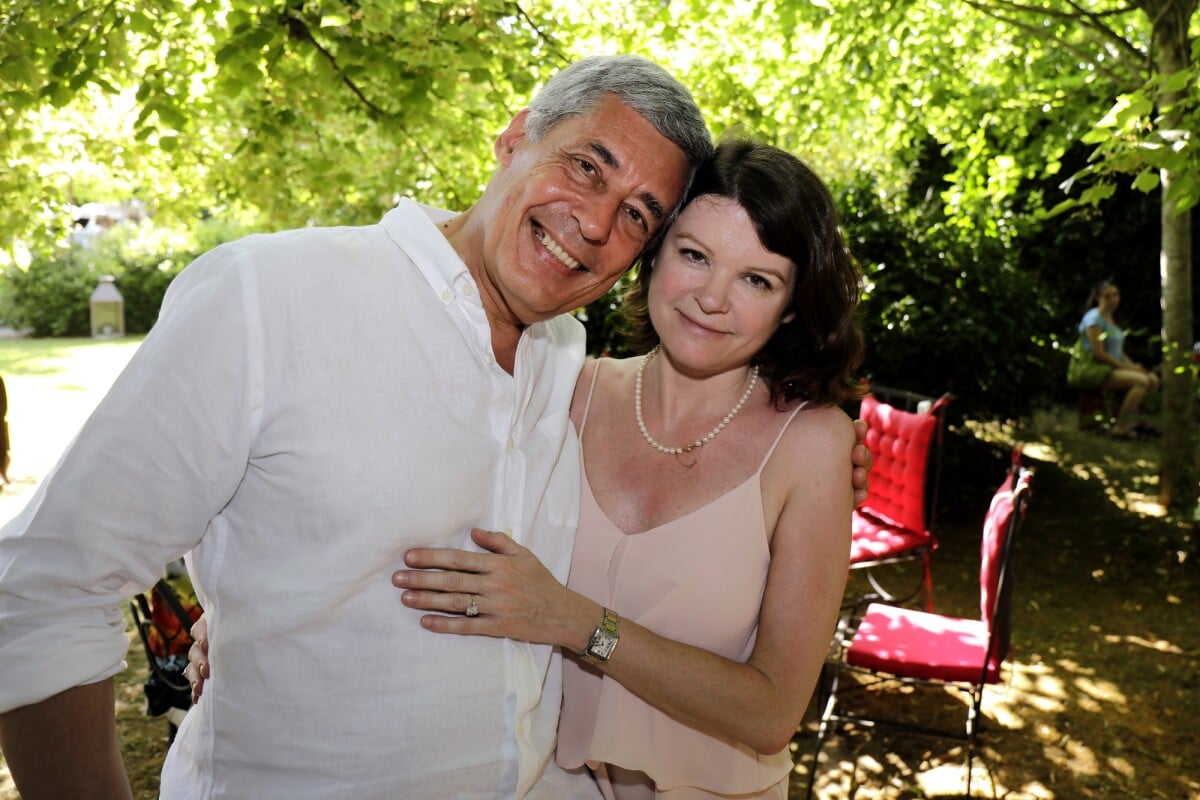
[(67, 747)]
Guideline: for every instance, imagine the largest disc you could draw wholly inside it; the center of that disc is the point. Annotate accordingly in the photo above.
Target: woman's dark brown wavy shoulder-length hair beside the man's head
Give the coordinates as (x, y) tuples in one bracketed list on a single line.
[(814, 357)]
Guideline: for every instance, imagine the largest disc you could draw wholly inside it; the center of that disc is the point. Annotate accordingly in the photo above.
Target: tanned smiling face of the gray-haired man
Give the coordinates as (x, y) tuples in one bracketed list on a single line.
[(565, 218)]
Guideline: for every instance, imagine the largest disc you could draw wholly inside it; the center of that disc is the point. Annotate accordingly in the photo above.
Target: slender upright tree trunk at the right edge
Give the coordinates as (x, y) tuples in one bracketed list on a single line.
[(1179, 468)]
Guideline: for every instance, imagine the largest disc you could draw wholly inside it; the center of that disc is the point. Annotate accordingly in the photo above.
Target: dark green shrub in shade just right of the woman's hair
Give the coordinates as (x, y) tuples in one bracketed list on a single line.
[(950, 312)]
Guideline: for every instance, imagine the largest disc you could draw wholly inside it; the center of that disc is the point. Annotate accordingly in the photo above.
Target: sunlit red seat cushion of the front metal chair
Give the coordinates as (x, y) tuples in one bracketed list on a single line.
[(919, 645)]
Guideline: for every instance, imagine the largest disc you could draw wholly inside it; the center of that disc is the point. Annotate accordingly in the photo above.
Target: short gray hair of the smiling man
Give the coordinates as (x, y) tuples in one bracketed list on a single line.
[(640, 85)]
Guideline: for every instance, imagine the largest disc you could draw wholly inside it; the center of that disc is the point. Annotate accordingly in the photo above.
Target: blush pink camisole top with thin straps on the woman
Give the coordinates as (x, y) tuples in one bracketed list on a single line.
[(697, 580)]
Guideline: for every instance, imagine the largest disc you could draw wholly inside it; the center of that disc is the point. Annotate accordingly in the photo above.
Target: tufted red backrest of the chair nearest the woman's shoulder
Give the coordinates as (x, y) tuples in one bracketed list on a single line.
[(901, 448)]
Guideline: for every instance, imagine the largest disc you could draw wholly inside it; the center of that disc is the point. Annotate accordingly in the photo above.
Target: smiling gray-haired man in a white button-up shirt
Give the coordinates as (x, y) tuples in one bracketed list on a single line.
[(310, 406)]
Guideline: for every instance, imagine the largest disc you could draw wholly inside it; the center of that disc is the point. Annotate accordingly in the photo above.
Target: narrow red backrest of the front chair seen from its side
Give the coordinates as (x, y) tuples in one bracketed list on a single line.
[(1001, 525)]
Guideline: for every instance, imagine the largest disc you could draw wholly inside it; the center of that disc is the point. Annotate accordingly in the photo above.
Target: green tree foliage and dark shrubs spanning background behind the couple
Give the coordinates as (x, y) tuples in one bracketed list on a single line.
[(951, 127)]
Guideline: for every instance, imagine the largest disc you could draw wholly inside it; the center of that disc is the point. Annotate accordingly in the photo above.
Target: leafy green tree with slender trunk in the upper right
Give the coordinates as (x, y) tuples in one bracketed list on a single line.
[(1009, 88)]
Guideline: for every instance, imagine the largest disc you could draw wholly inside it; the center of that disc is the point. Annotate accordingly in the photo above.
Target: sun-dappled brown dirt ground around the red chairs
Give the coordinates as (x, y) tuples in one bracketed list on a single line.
[(1100, 700)]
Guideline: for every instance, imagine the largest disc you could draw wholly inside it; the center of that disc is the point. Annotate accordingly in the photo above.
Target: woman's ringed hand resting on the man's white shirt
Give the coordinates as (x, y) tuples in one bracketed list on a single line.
[(505, 593)]
